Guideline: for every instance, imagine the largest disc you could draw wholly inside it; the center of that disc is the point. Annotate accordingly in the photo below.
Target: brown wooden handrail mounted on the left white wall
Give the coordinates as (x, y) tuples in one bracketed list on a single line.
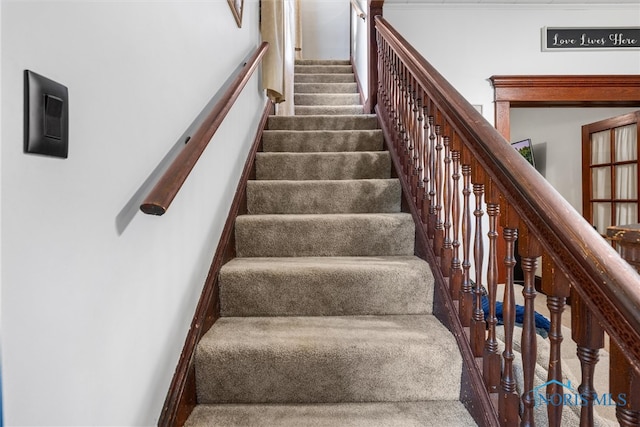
[(158, 200)]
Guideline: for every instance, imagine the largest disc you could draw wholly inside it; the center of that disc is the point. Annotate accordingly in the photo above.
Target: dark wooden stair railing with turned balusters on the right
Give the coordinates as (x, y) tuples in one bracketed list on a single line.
[(456, 167)]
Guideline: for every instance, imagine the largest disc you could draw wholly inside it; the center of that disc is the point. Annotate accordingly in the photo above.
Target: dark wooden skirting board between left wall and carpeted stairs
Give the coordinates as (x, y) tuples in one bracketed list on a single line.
[(181, 397)]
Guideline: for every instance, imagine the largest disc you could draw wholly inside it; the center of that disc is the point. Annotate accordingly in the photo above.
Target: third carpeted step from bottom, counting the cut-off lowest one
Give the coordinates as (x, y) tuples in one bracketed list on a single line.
[(325, 286)]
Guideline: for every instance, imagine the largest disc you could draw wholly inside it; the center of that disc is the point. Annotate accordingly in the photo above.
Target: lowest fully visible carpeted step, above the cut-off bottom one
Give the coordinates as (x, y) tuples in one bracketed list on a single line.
[(327, 360)]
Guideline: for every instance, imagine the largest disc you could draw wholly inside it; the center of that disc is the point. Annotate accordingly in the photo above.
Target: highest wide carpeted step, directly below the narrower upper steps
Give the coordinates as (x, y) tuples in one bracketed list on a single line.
[(356, 122)]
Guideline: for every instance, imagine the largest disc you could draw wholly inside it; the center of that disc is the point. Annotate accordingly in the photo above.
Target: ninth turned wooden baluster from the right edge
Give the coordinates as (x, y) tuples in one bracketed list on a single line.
[(455, 276)]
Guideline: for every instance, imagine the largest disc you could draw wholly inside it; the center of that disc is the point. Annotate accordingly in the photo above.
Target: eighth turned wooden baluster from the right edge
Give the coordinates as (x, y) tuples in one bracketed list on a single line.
[(466, 290)]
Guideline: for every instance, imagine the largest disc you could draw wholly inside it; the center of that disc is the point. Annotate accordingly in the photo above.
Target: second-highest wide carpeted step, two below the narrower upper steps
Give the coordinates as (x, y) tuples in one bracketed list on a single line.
[(322, 140)]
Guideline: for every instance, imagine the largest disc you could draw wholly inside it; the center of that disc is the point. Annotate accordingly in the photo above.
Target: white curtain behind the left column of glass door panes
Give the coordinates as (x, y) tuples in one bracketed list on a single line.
[(601, 179)]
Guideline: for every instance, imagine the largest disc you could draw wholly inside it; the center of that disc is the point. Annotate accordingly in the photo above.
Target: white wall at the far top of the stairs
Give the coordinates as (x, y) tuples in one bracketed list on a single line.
[(325, 29)]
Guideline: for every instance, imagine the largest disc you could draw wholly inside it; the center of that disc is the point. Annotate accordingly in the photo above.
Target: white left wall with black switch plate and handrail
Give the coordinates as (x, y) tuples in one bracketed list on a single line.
[(96, 304)]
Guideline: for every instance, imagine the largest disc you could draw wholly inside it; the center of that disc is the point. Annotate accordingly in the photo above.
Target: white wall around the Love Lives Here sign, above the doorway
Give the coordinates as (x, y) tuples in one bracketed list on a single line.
[(468, 44)]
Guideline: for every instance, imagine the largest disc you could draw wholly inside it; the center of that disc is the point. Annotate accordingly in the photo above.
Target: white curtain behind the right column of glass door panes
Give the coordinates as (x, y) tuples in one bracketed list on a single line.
[(626, 149)]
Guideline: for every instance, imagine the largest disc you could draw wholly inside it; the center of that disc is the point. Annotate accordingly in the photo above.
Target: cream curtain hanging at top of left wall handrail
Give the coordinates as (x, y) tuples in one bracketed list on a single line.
[(278, 27)]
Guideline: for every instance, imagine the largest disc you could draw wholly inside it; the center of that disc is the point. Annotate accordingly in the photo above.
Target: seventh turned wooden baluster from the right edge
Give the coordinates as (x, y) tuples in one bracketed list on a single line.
[(478, 325)]
